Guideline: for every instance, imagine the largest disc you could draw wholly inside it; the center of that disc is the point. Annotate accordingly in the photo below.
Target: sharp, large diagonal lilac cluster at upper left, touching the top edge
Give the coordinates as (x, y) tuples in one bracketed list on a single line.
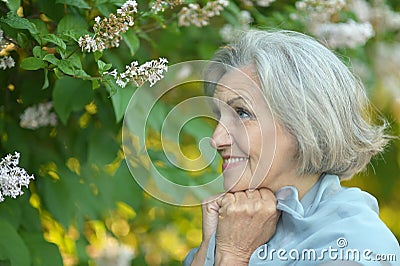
[(107, 31)]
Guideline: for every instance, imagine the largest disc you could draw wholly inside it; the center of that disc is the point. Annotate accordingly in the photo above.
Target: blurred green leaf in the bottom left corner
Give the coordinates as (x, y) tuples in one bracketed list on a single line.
[(12, 247)]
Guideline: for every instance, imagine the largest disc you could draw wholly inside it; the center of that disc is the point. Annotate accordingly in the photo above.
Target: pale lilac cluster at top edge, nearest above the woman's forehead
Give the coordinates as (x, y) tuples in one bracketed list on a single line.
[(193, 14)]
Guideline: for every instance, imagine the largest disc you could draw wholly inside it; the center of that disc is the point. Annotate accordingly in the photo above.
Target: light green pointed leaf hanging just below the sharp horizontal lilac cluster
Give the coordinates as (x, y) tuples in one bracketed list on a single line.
[(119, 97)]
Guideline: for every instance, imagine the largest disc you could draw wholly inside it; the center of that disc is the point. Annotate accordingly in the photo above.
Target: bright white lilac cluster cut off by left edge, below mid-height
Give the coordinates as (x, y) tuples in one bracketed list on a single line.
[(12, 177)]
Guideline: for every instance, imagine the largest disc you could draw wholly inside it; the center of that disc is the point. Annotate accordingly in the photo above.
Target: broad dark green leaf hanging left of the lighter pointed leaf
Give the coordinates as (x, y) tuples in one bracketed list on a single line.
[(69, 95)]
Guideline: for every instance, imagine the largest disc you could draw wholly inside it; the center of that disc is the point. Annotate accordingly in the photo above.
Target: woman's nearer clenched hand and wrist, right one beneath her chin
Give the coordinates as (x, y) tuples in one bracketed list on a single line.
[(247, 219)]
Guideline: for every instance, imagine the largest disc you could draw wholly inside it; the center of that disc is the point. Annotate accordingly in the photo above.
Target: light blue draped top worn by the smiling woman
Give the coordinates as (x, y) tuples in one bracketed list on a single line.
[(331, 224)]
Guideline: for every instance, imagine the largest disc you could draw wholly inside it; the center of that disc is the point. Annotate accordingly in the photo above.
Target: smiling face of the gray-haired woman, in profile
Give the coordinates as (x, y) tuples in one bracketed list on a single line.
[(256, 151)]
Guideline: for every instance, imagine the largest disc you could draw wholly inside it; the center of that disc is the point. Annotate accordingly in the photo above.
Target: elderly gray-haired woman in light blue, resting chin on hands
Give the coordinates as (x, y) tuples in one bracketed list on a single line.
[(292, 123)]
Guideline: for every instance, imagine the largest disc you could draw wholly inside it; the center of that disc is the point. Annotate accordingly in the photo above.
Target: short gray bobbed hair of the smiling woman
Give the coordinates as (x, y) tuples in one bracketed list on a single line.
[(312, 94)]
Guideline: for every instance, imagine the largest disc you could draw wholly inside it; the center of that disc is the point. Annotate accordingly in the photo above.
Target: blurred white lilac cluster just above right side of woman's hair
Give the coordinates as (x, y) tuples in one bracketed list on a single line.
[(344, 35)]
